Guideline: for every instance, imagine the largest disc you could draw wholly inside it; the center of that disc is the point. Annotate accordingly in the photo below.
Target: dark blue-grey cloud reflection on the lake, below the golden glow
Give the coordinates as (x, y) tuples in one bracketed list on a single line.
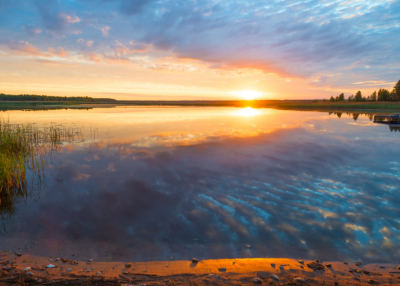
[(295, 192)]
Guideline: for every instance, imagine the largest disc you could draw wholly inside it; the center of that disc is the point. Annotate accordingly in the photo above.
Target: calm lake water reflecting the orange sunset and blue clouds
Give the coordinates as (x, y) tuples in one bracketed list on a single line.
[(145, 184)]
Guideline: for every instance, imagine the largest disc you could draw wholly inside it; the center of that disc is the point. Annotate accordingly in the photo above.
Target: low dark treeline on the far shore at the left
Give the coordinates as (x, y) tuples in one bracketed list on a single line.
[(34, 97)]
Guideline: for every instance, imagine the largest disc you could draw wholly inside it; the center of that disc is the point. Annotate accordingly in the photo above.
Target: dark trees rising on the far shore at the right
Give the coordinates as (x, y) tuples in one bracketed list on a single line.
[(382, 95)]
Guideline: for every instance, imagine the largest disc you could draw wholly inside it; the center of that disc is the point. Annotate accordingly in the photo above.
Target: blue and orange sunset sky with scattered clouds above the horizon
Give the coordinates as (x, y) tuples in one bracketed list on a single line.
[(198, 49)]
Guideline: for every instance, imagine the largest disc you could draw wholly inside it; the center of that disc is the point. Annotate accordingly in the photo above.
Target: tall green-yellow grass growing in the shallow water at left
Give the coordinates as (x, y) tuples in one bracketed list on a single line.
[(23, 153)]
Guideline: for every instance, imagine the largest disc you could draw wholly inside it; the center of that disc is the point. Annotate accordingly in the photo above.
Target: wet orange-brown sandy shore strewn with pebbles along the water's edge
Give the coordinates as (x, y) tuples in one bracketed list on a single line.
[(204, 272)]
